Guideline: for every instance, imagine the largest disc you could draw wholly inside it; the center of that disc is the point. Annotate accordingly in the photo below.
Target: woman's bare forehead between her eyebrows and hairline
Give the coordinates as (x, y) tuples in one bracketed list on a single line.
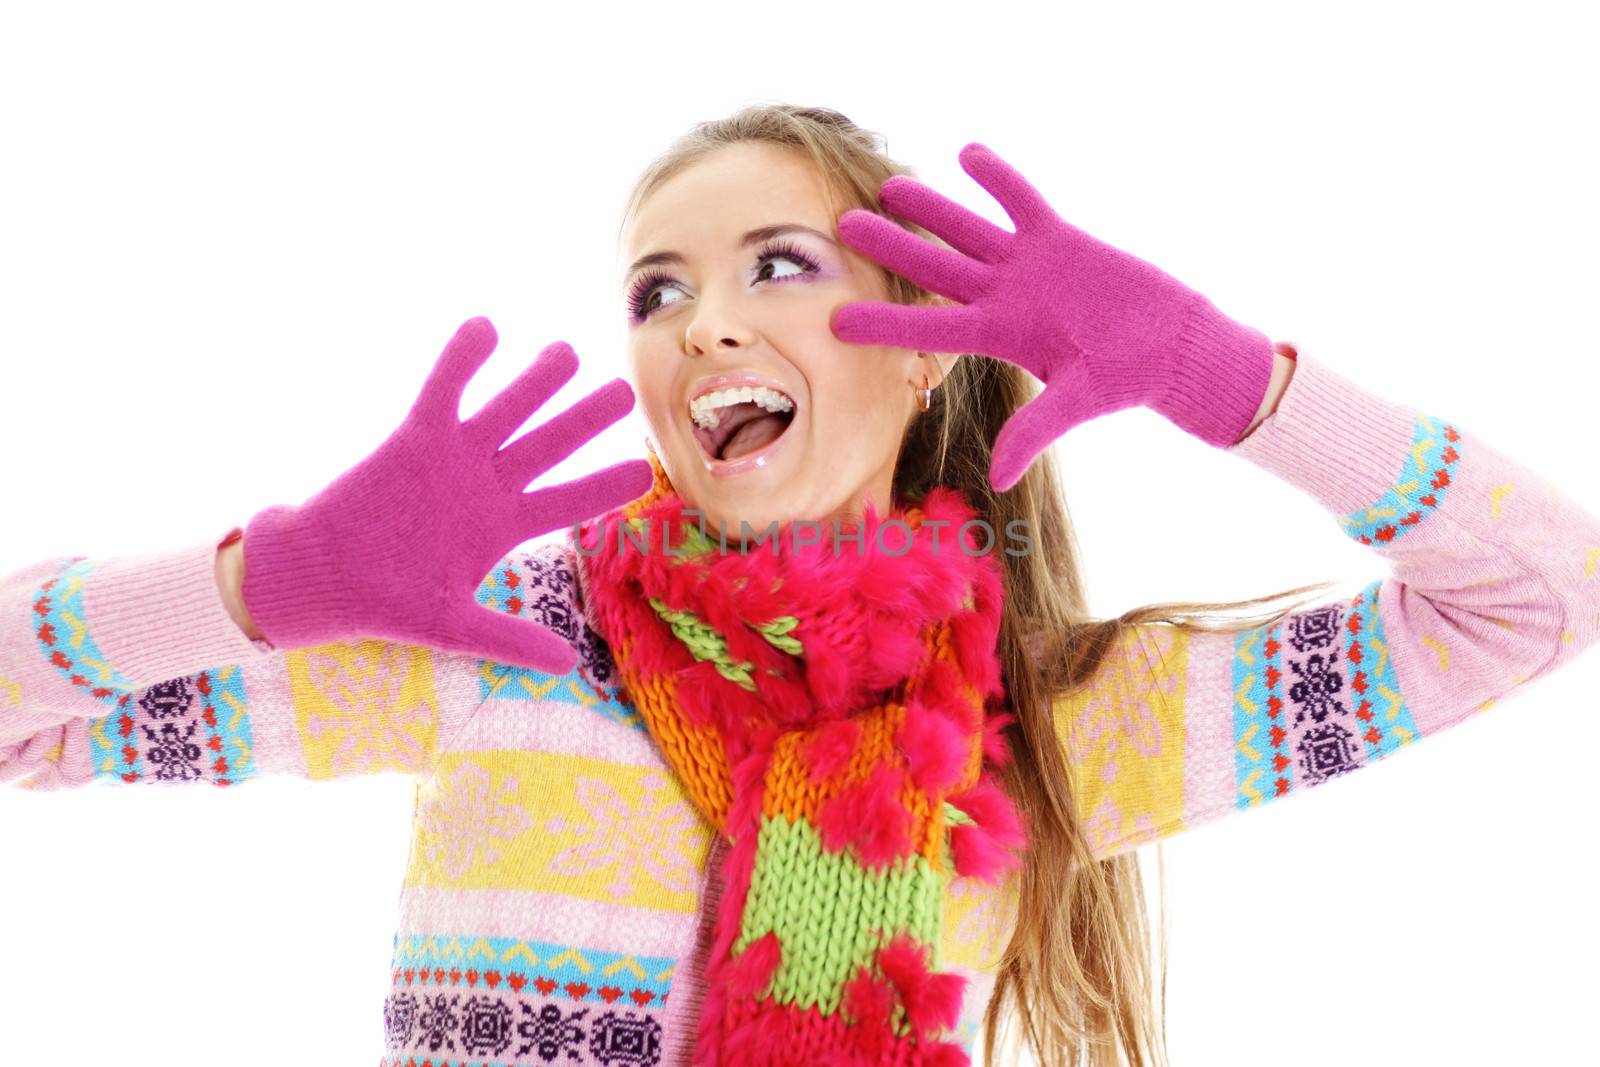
[(734, 190)]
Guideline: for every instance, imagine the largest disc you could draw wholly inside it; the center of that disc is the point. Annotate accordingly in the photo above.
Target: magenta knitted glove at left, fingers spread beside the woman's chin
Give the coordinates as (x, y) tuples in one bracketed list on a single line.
[(398, 546)]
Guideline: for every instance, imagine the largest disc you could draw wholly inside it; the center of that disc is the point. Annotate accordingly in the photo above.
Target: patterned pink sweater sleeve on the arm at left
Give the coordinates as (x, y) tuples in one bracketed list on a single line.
[(130, 669)]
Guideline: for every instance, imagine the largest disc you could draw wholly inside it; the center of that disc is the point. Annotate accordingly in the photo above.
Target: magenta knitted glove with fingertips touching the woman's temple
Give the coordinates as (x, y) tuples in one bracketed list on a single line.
[(1102, 329)]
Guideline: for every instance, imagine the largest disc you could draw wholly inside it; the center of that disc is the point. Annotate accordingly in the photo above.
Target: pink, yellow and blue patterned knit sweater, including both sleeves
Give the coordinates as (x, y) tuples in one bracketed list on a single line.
[(558, 901)]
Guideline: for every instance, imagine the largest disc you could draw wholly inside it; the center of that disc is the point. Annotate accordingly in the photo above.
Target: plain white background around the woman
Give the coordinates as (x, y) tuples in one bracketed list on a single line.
[(233, 242)]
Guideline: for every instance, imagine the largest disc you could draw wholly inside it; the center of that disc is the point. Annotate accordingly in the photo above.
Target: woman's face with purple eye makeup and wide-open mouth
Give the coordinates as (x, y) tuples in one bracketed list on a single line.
[(745, 302)]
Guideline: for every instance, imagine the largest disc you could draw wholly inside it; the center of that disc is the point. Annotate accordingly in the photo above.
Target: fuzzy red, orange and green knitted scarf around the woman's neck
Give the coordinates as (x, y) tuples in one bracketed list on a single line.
[(834, 711)]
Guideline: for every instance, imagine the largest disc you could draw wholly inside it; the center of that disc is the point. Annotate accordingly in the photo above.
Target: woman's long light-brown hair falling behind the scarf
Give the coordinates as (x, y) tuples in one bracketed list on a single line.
[(1078, 969)]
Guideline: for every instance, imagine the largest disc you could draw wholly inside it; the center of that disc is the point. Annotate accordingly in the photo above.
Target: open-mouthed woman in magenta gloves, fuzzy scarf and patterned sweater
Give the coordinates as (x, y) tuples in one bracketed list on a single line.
[(722, 796)]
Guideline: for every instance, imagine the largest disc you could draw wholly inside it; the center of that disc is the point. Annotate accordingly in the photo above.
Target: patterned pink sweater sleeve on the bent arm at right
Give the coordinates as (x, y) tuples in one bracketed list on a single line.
[(1494, 581)]
